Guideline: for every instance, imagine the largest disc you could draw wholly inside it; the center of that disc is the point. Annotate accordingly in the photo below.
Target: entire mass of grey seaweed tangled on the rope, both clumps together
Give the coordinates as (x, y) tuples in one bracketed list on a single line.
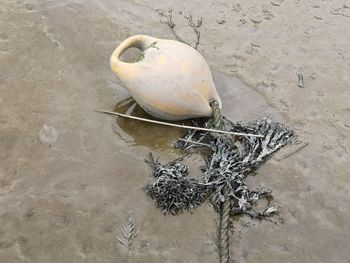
[(230, 160)]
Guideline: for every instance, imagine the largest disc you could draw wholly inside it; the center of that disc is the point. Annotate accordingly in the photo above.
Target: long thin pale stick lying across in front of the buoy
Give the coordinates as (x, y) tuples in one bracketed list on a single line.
[(176, 125)]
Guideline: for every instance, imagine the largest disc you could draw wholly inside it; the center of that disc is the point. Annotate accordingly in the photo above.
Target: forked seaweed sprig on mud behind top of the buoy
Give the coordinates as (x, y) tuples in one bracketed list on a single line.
[(168, 19)]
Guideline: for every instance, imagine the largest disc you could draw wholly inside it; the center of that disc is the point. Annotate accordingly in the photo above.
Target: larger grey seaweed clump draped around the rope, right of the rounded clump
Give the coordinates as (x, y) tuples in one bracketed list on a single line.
[(234, 158)]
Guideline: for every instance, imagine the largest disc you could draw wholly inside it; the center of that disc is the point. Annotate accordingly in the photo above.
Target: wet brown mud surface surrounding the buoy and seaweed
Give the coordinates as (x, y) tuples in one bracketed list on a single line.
[(67, 202)]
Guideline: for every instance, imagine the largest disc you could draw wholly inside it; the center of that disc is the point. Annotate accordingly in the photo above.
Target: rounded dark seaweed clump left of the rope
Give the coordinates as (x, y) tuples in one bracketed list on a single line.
[(173, 191)]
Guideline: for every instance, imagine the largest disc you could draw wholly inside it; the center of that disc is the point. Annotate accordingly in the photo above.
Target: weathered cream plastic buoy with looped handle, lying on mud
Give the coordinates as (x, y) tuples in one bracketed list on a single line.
[(170, 80)]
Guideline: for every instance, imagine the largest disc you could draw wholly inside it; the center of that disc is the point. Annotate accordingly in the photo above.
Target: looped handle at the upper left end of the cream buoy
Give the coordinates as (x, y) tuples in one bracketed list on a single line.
[(139, 41)]
